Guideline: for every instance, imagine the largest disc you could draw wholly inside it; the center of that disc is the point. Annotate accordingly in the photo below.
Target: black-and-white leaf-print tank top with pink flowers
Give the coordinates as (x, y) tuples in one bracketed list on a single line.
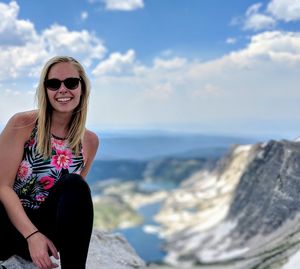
[(36, 176)]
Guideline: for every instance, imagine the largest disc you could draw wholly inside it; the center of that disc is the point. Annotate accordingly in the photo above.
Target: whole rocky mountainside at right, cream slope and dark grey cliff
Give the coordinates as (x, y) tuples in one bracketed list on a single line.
[(256, 193)]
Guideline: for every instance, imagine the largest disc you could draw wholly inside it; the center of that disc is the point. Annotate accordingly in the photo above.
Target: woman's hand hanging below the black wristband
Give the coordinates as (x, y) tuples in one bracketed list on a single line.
[(39, 245)]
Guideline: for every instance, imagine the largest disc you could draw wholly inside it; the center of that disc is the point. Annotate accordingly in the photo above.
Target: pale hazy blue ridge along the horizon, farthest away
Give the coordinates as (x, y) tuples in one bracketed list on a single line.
[(151, 146)]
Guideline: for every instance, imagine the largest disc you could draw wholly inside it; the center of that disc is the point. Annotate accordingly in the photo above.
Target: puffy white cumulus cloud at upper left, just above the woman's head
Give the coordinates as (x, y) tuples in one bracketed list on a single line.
[(24, 51)]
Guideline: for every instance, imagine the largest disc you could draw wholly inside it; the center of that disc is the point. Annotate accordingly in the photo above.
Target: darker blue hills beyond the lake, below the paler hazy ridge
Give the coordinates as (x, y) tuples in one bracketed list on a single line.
[(161, 170)]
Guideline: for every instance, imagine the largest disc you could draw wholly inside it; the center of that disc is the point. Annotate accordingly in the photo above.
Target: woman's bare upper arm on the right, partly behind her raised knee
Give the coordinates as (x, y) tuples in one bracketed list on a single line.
[(90, 147)]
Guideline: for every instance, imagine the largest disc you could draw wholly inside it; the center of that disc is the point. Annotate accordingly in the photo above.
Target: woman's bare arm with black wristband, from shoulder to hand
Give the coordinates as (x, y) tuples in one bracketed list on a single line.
[(12, 141)]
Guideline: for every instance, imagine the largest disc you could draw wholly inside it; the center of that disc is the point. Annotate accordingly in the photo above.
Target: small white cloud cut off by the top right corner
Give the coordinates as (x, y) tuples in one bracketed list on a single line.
[(286, 10)]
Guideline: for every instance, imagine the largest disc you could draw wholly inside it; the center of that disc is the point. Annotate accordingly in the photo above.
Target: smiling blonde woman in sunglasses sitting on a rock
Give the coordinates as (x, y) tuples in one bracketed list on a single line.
[(45, 203)]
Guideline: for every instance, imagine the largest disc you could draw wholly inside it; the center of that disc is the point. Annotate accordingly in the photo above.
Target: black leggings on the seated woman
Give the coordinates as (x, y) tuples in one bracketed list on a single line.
[(66, 218)]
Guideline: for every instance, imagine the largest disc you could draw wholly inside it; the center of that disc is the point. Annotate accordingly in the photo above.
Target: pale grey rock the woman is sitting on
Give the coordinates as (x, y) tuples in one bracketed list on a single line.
[(106, 251)]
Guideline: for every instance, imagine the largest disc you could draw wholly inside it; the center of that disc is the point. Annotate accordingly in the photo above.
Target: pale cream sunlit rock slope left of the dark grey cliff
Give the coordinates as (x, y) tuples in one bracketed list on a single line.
[(204, 199)]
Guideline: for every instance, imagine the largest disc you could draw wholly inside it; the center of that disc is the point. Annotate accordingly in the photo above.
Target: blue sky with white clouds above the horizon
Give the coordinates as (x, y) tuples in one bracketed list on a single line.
[(199, 66)]
